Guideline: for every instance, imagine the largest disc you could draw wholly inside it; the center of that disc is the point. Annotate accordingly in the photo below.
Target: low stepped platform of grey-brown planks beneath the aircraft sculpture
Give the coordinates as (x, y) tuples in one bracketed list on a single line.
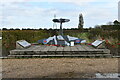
[(77, 50)]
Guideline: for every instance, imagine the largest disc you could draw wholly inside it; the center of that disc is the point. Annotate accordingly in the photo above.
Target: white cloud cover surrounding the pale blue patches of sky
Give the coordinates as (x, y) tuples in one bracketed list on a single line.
[(14, 14)]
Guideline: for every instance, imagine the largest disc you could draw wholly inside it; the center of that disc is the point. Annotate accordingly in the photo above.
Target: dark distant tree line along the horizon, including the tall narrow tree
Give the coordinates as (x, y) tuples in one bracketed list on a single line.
[(110, 26)]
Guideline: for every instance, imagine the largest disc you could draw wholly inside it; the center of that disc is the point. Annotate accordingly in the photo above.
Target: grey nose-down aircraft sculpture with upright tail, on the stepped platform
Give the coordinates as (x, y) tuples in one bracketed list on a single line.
[(61, 40)]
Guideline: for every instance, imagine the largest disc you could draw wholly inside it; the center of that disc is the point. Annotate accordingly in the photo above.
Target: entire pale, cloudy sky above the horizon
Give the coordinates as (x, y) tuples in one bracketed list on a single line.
[(39, 13)]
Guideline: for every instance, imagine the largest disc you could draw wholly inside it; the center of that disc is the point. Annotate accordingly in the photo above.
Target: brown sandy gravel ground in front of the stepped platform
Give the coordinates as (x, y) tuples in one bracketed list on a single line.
[(58, 68)]
